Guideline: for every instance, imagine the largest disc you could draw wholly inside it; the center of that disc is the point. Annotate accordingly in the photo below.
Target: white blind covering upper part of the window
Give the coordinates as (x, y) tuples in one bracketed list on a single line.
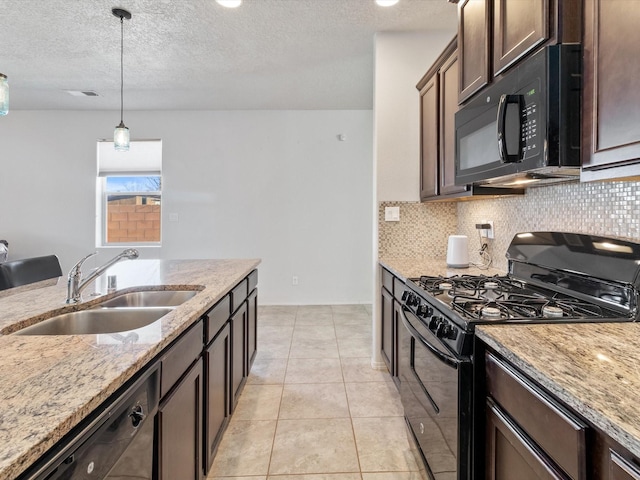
[(143, 158)]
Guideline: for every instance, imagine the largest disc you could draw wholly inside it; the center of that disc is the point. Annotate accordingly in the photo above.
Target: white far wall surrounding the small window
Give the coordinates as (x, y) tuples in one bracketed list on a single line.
[(278, 185)]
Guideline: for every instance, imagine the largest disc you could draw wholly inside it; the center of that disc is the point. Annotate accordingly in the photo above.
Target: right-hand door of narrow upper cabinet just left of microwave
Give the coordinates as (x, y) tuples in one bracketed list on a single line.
[(448, 108)]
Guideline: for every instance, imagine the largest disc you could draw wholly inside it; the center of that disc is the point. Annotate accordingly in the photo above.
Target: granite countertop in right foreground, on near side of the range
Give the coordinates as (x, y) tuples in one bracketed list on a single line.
[(594, 368)]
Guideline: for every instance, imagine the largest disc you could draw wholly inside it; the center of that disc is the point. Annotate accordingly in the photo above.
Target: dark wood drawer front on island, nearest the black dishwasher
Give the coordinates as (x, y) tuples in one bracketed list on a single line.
[(180, 356)]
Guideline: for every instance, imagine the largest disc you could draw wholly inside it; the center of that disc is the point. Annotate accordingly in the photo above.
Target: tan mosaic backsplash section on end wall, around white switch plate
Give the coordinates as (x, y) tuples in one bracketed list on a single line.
[(422, 231)]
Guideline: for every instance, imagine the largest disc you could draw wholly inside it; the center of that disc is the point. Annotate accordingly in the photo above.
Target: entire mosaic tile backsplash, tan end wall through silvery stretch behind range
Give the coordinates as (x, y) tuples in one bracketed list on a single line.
[(601, 208)]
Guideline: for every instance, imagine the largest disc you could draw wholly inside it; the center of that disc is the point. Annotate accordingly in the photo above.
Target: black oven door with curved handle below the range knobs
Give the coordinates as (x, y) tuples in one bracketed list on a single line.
[(435, 387)]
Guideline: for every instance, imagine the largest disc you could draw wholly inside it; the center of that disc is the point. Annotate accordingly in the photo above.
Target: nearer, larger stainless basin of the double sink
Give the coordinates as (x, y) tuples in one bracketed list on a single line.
[(96, 321)]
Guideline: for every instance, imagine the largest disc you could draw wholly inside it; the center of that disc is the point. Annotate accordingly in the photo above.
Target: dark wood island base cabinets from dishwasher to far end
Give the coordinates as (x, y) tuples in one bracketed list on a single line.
[(202, 375)]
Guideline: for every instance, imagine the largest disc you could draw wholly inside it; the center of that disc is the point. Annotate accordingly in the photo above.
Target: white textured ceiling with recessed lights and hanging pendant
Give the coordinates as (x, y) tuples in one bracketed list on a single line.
[(195, 54)]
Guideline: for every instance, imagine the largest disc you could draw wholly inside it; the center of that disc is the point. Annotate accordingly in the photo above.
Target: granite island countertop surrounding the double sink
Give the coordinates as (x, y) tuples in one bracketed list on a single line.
[(50, 383)]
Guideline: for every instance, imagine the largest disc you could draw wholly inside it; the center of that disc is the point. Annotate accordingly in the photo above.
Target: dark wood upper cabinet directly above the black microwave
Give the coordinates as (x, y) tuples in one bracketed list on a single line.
[(496, 34)]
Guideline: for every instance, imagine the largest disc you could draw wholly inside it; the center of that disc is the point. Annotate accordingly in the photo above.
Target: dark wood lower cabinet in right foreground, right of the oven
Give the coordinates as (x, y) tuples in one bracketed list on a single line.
[(527, 430)]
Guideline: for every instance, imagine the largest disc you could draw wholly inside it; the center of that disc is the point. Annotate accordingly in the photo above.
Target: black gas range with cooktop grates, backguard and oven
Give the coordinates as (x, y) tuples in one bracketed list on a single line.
[(552, 277)]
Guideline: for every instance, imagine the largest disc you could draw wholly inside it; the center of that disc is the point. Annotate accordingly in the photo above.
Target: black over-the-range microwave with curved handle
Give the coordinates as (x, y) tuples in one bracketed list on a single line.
[(524, 129)]
